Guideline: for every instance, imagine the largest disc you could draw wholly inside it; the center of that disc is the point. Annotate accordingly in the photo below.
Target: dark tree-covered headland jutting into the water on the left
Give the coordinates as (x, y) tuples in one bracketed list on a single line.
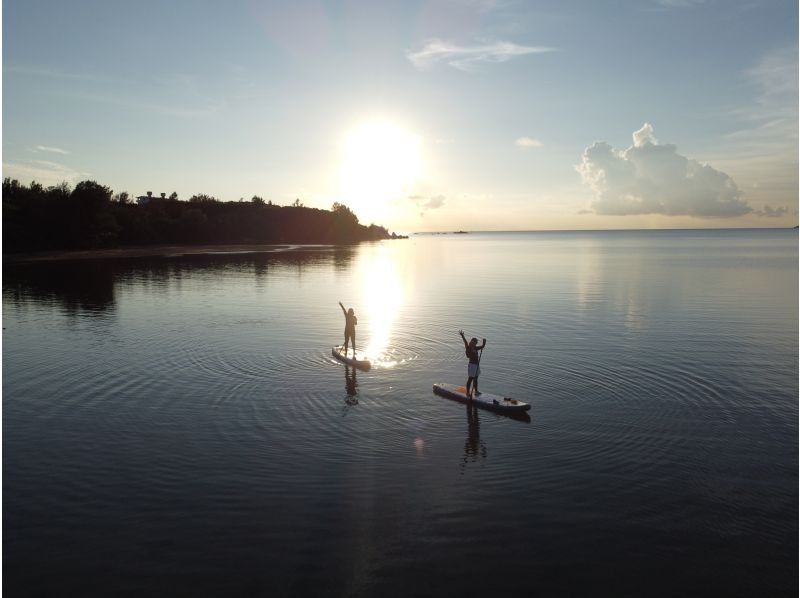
[(91, 216)]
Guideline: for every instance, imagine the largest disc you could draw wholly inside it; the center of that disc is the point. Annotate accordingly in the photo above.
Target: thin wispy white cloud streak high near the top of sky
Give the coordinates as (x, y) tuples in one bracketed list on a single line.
[(465, 57)]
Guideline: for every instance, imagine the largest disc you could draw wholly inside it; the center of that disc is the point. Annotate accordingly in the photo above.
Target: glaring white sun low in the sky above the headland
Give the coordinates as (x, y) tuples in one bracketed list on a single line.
[(380, 163)]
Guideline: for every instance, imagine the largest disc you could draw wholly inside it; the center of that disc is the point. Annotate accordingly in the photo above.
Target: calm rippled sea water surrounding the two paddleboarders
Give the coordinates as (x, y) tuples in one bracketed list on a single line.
[(177, 427)]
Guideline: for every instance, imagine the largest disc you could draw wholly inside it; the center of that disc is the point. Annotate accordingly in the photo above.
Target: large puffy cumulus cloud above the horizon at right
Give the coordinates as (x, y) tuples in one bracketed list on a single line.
[(653, 178)]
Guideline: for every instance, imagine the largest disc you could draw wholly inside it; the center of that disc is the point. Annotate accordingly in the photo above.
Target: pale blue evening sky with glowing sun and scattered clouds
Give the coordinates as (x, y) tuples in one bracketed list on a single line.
[(419, 116)]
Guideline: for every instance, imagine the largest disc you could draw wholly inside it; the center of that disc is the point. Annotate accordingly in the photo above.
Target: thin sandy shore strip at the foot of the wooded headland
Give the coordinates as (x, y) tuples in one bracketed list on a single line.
[(145, 251)]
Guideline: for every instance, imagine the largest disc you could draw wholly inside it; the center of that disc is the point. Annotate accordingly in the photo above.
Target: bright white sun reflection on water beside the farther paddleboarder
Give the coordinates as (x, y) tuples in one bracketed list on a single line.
[(383, 296)]
